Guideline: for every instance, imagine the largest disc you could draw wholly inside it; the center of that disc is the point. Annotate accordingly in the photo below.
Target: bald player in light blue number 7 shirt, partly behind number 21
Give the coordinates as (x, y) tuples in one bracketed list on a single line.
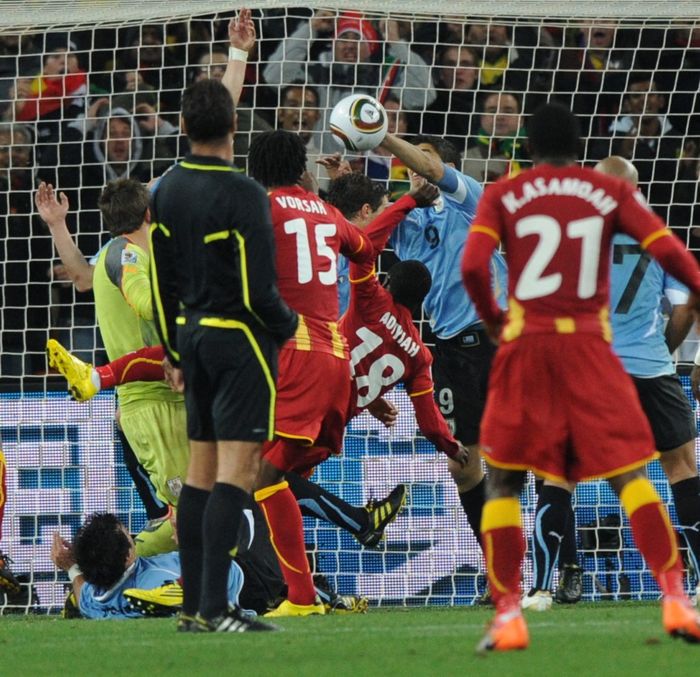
[(638, 285)]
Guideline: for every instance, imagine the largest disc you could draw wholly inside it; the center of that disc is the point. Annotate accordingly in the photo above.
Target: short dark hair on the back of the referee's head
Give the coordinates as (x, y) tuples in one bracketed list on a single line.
[(208, 111)]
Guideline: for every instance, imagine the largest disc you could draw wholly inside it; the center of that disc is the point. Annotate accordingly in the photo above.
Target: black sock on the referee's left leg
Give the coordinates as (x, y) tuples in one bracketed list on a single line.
[(190, 516)]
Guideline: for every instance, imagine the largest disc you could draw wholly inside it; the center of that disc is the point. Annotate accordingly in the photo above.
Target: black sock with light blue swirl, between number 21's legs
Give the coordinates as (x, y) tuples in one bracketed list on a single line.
[(553, 505)]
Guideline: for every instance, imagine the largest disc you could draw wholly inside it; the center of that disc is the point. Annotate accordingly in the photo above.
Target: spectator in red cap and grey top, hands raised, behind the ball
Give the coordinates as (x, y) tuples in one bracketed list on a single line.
[(353, 64)]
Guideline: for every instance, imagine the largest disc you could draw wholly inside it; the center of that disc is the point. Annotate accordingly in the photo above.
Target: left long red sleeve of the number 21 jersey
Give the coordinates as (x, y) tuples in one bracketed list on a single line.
[(484, 235)]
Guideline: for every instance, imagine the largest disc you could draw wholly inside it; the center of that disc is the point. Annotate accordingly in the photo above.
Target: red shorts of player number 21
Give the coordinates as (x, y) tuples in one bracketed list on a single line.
[(562, 406)]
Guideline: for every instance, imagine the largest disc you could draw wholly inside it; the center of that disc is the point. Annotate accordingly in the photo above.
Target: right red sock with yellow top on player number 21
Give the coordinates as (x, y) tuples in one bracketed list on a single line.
[(653, 534)]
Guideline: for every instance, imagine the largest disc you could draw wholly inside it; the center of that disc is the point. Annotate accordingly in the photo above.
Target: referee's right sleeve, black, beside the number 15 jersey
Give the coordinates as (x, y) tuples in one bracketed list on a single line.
[(258, 273)]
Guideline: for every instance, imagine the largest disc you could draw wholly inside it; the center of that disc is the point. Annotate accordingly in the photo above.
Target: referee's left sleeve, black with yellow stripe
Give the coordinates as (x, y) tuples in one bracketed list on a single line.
[(166, 302)]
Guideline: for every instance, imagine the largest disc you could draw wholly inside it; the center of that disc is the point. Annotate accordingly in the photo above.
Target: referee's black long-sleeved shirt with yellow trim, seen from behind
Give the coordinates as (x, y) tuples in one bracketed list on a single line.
[(213, 250)]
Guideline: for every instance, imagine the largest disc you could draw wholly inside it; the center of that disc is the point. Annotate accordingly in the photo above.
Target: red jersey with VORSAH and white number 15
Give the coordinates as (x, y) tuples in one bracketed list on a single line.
[(309, 235)]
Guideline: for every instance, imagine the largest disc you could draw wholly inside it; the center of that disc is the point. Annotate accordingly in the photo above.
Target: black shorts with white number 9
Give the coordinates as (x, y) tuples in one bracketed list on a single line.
[(461, 374)]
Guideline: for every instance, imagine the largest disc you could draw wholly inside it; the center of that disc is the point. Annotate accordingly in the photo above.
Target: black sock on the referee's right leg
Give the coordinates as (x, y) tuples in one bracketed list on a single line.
[(222, 520)]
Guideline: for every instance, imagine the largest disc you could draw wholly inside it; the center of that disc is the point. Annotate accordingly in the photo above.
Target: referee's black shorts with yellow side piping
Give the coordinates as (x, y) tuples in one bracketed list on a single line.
[(230, 376)]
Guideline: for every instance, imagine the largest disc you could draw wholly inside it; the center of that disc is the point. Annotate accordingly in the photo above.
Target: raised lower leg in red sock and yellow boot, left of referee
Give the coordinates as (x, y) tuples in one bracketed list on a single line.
[(85, 381)]
